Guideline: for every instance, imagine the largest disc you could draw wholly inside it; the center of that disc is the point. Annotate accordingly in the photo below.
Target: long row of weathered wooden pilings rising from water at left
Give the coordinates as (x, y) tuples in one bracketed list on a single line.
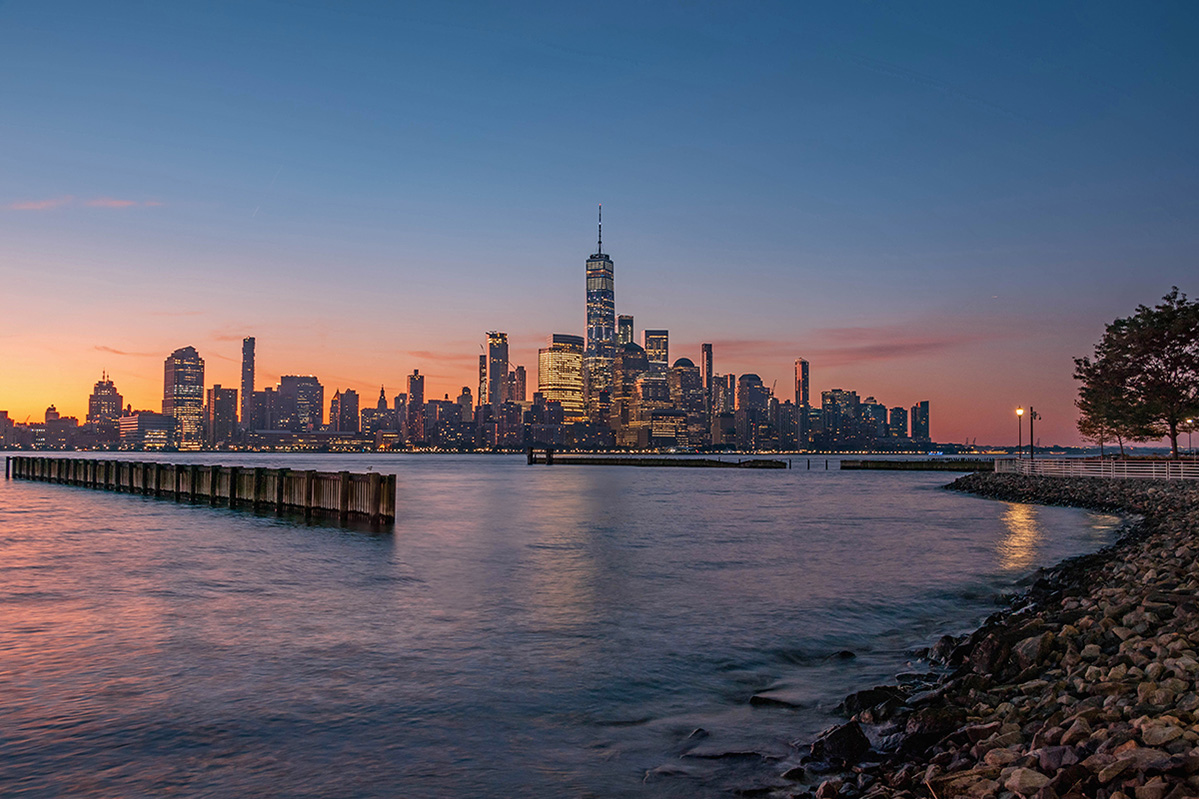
[(370, 496)]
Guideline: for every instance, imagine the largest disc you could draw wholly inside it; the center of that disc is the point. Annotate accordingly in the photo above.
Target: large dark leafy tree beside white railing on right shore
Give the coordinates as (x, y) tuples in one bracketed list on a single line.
[(1144, 379)]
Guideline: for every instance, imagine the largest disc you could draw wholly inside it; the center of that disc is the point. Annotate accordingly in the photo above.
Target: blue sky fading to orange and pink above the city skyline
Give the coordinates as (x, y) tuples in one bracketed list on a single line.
[(942, 202)]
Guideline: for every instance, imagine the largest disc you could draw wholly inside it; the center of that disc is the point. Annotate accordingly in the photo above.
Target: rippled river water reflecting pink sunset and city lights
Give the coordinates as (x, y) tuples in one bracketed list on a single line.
[(523, 632)]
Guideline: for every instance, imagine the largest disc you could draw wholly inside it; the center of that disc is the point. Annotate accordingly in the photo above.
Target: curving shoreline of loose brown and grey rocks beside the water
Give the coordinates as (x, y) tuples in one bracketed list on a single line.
[(1087, 687)]
